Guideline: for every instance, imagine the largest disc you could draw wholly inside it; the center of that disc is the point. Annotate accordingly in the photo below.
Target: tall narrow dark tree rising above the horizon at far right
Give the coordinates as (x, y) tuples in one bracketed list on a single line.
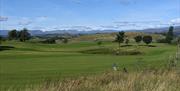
[(170, 35)]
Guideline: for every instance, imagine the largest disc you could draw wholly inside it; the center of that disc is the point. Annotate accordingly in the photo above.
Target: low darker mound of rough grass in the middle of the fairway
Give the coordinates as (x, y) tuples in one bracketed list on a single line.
[(111, 51)]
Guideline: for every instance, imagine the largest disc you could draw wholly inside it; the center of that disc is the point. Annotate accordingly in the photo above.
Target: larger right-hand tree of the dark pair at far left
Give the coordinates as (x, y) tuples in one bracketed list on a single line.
[(24, 35)]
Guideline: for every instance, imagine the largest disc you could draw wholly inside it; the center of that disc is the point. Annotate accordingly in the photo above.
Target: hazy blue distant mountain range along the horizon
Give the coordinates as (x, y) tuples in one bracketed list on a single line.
[(150, 30)]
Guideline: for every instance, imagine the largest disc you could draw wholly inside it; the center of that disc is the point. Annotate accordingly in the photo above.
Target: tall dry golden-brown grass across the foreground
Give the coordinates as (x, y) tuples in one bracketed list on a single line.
[(115, 81)]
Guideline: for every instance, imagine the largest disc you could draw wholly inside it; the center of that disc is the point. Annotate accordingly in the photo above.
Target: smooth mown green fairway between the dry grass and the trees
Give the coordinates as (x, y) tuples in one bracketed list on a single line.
[(31, 63)]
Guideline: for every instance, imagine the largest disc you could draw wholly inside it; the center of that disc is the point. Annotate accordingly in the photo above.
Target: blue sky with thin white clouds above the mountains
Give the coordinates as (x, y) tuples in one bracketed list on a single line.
[(50, 15)]
